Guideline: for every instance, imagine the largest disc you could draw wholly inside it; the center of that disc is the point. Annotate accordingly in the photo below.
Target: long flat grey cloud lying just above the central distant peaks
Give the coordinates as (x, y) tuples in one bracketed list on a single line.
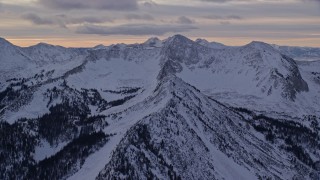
[(134, 29)]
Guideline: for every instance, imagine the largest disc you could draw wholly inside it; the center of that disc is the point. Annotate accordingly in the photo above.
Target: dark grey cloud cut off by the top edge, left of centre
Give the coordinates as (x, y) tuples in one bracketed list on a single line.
[(91, 4)]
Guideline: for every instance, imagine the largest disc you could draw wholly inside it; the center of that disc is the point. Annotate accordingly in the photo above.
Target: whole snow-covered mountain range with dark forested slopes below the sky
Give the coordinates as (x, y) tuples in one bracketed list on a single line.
[(163, 109)]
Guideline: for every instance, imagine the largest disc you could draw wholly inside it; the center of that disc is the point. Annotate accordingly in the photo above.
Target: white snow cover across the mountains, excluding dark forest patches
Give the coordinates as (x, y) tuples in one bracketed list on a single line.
[(236, 76)]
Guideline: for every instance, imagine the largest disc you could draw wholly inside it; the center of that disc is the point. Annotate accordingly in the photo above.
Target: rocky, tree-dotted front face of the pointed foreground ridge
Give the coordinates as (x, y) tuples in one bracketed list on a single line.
[(196, 137)]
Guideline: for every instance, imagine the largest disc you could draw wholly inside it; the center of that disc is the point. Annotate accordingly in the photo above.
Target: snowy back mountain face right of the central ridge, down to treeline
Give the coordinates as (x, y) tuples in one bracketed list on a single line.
[(240, 74)]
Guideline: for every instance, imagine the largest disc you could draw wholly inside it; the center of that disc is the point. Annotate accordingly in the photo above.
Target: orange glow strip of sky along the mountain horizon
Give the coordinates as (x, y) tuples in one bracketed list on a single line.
[(91, 42)]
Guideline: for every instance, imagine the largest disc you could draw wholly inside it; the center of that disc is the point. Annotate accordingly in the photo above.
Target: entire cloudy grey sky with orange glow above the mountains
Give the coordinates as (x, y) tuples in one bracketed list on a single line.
[(86, 23)]
